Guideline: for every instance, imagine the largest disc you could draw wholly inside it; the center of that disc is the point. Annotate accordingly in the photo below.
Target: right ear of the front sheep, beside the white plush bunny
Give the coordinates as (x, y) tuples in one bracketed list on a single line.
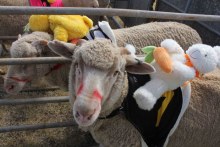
[(136, 66)]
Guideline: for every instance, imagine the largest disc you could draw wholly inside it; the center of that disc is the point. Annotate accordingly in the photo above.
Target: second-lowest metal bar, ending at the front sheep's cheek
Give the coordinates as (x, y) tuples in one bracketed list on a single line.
[(41, 100)]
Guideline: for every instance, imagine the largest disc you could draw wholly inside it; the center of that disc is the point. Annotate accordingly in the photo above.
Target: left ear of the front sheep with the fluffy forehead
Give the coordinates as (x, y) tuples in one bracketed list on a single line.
[(62, 48)]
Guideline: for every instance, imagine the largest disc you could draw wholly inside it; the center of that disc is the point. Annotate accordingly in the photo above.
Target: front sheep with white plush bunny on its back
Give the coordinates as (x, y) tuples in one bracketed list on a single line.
[(98, 85)]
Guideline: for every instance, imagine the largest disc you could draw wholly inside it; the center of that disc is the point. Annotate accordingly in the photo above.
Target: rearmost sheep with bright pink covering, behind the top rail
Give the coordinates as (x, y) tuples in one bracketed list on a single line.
[(14, 24)]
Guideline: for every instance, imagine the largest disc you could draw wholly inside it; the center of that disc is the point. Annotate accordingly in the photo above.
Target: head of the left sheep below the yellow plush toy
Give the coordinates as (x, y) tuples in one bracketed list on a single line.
[(18, 75)]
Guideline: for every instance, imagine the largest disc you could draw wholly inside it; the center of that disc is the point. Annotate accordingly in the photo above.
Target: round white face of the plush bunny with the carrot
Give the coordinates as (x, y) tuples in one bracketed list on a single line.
[(203, 57)]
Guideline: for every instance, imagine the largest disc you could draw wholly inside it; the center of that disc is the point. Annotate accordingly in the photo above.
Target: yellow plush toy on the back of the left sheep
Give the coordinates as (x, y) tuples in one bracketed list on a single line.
[(64, 27)]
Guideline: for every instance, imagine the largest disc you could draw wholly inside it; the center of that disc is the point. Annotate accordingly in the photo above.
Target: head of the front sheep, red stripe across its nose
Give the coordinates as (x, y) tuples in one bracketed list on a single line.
[(97, 75)]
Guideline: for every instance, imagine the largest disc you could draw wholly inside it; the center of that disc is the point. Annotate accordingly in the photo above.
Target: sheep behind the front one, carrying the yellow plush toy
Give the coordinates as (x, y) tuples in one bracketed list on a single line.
[(139, 36)]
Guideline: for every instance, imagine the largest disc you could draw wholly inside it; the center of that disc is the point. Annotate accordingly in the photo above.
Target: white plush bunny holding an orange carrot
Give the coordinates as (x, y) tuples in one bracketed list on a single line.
[(174, 68)]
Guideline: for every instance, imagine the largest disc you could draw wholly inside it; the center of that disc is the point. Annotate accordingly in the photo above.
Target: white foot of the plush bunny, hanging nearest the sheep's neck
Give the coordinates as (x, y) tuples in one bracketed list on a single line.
[(144, 99)]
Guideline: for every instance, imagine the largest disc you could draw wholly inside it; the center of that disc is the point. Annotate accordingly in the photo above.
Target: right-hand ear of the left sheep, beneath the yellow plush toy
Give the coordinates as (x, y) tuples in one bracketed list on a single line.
[(40, 46)]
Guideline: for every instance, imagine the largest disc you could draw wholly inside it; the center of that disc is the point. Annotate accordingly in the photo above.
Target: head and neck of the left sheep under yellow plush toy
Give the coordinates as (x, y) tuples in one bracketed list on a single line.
[(33, 45)]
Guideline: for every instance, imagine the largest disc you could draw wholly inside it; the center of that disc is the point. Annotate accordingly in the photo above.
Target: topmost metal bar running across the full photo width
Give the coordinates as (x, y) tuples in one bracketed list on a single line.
[(18, 10)]
